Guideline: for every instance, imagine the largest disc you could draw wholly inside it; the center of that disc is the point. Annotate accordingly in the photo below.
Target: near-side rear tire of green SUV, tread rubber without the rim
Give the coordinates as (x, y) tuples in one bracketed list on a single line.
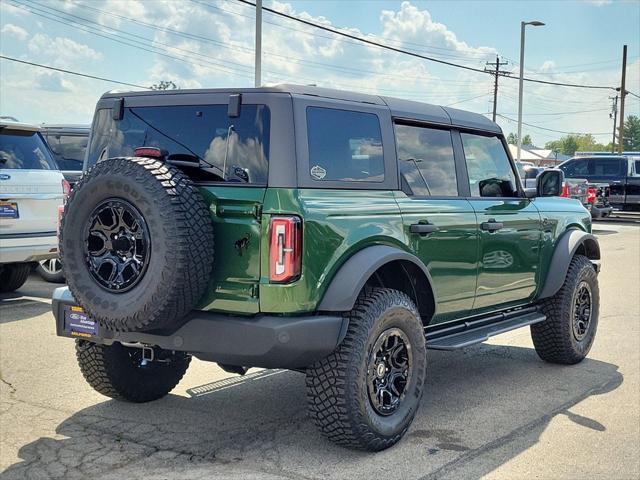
[(337, 385)]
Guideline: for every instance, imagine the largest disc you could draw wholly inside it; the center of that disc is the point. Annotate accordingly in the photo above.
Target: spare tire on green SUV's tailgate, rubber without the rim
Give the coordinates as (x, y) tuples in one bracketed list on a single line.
[(181, 244)]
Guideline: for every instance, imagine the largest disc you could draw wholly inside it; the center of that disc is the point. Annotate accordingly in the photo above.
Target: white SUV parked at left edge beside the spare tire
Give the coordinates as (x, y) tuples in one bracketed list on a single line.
[(31, 190)]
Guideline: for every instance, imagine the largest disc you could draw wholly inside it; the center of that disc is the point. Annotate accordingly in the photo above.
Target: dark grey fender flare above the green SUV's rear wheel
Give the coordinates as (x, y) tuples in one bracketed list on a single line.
[(343, 291)]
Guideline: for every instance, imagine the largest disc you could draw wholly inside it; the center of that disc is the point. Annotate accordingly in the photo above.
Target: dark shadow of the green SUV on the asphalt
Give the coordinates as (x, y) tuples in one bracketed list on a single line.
[(482, 407)]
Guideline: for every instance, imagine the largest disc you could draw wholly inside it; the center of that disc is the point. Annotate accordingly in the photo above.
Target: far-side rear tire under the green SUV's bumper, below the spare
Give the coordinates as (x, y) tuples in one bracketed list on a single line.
[(111, 372)]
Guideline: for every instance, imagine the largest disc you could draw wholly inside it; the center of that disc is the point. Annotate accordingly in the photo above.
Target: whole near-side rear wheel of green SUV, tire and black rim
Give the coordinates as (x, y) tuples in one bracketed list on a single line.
[(366, 393)]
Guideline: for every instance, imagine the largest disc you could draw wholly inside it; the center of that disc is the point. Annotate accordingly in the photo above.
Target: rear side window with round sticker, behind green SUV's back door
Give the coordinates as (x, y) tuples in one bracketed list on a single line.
[(344, 145)]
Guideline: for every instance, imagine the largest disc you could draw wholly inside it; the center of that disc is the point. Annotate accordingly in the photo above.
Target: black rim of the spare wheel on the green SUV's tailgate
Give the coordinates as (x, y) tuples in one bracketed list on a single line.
[(117, 245)]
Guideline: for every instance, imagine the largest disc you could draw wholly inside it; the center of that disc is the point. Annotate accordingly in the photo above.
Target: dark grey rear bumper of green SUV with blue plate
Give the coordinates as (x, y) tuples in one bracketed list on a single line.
[(260, 341)]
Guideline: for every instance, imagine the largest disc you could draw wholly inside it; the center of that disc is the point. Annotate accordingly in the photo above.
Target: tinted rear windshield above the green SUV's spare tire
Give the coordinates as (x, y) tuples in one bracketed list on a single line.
[(204, 140)]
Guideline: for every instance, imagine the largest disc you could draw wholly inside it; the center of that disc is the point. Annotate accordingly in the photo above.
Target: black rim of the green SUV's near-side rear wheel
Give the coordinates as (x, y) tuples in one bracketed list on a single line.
[(389, 371)]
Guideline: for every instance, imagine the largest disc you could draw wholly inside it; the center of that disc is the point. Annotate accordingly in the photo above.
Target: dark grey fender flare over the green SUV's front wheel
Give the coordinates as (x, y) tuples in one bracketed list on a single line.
[(566, 248)]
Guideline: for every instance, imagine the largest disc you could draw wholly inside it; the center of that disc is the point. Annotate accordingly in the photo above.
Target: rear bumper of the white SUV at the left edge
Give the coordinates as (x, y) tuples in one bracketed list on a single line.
[(15, 248)]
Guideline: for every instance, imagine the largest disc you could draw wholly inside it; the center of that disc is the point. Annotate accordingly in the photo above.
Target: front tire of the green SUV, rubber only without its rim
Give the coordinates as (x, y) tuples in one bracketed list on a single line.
[(554, 338)]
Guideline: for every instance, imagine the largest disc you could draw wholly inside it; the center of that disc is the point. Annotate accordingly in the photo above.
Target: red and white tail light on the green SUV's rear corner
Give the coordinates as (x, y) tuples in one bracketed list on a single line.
[(285, 249)]
